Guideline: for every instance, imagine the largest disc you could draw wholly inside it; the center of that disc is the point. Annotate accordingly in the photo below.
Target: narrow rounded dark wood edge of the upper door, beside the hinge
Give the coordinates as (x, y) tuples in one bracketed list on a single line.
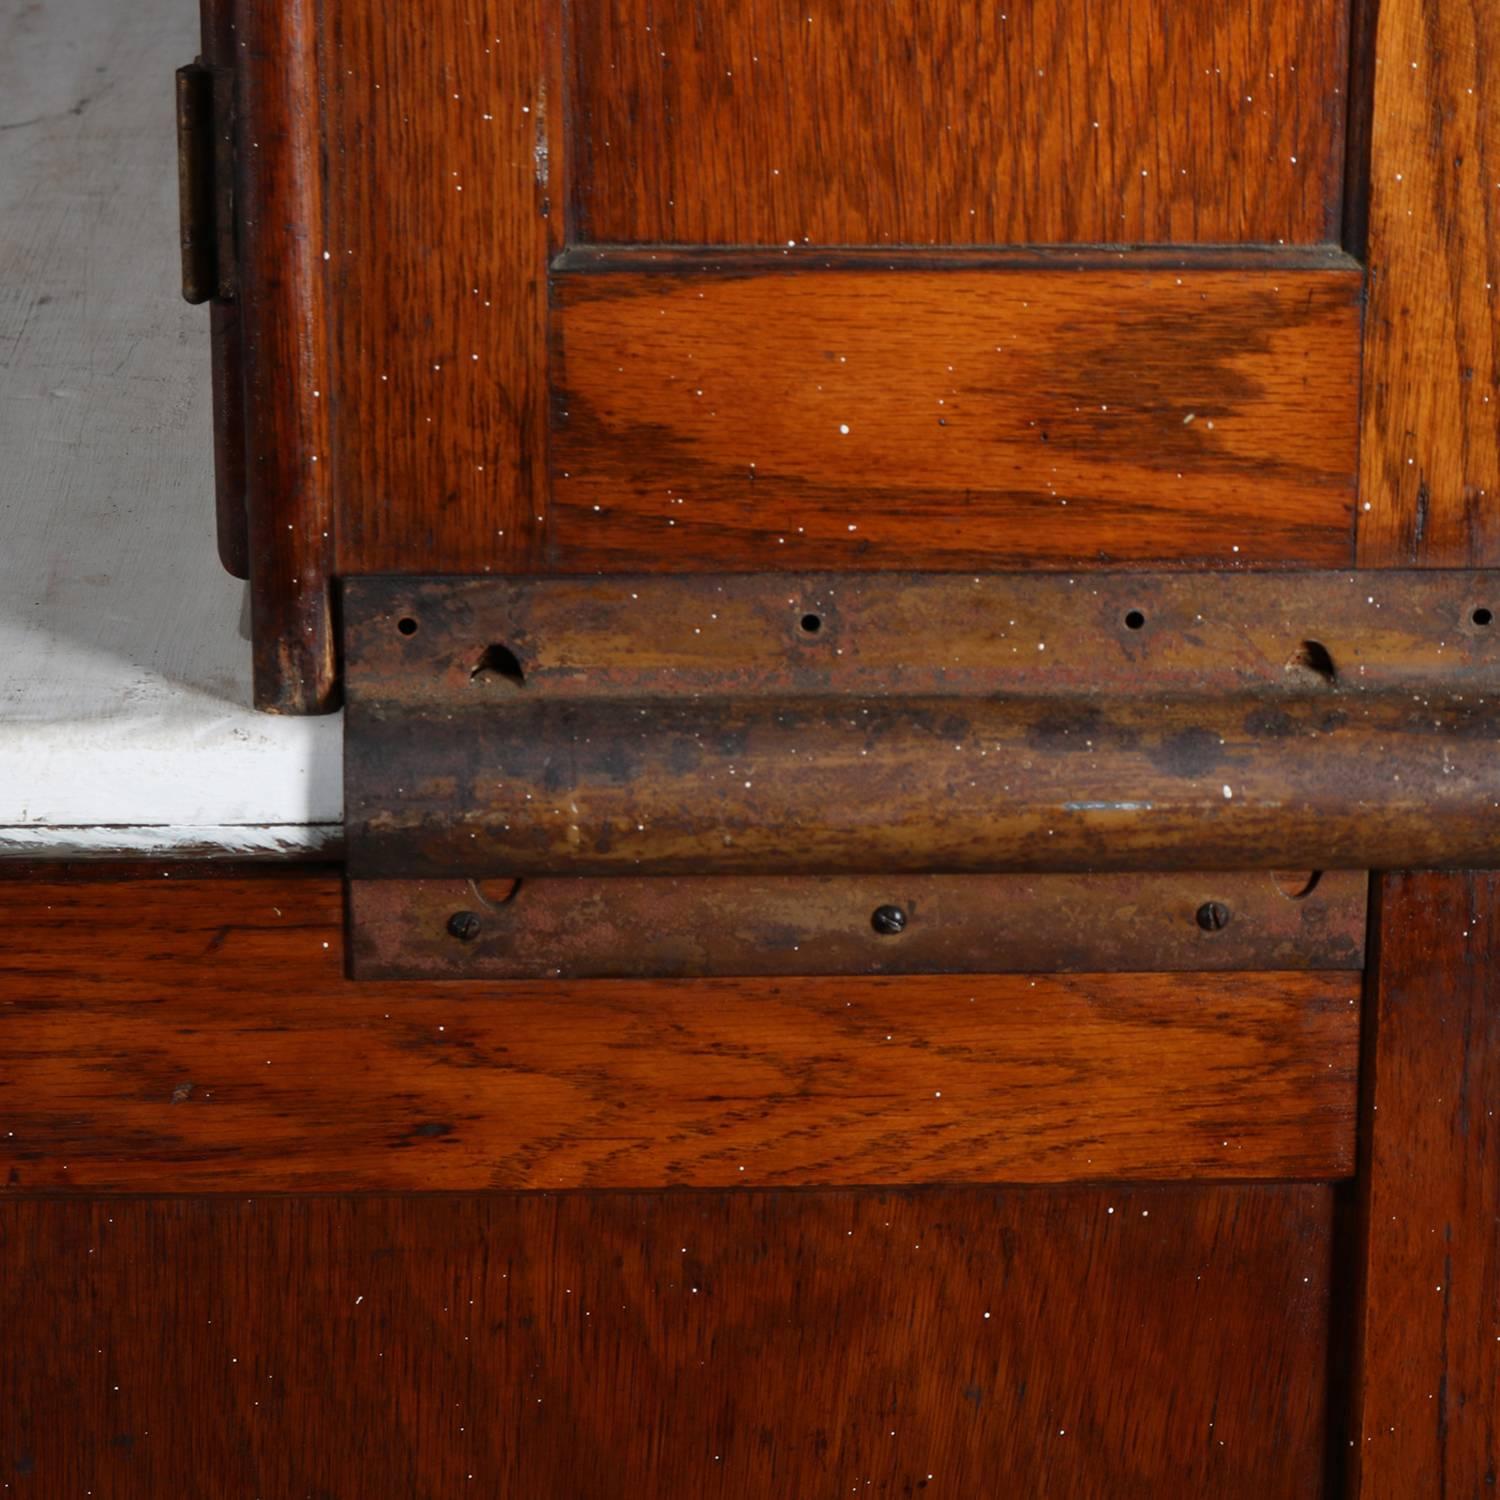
[(284, 341)]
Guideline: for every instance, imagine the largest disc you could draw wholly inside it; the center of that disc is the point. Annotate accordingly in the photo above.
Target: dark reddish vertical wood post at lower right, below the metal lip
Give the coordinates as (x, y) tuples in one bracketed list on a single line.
[(1430, 1408)]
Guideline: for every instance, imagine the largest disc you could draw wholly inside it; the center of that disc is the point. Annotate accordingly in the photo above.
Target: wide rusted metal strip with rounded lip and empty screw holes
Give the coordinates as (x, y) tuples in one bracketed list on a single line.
[(889, 725)]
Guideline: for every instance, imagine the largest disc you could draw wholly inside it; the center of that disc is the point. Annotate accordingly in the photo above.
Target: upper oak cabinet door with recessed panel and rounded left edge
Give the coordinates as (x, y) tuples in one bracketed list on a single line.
[(766, 286)]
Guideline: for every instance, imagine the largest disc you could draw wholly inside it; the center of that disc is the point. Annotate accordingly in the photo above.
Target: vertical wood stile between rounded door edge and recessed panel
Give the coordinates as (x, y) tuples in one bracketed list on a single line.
[(445, 167)]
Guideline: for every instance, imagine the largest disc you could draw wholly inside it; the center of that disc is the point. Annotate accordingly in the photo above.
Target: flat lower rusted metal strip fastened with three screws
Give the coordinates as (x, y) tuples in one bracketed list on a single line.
[(739, 926)]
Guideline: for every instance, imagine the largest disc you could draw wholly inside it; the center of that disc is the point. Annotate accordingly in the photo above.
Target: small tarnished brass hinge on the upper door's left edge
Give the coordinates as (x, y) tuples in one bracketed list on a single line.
[(206, 182)]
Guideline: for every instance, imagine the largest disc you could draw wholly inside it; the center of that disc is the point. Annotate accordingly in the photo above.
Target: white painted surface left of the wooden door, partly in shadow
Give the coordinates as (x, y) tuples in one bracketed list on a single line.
[(125, 721)]
